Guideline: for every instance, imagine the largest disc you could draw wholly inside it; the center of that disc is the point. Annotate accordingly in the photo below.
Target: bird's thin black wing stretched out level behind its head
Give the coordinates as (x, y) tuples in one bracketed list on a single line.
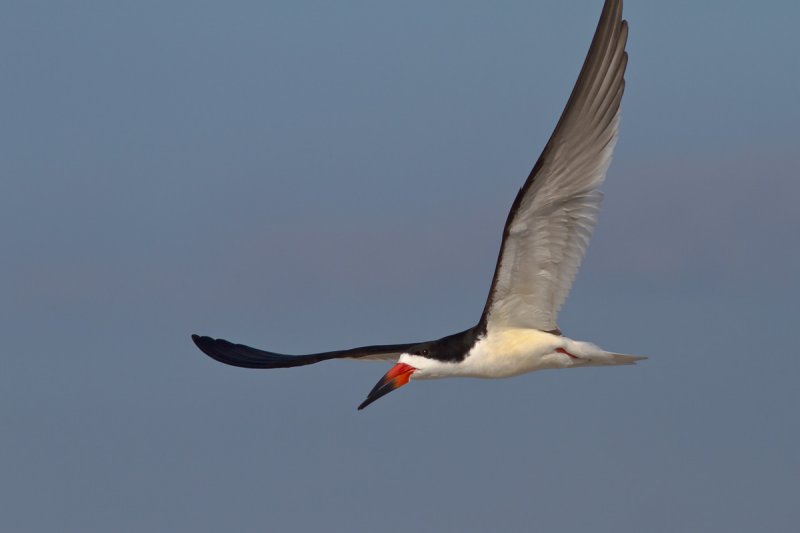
[(247, 357)]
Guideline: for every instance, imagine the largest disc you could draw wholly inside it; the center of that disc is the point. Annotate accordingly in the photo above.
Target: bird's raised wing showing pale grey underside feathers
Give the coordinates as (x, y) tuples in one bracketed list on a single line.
[(554, 213)]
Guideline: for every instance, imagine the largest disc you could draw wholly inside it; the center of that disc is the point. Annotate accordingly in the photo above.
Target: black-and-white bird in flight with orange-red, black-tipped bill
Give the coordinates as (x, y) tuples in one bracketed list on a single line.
[(544, 240)]
